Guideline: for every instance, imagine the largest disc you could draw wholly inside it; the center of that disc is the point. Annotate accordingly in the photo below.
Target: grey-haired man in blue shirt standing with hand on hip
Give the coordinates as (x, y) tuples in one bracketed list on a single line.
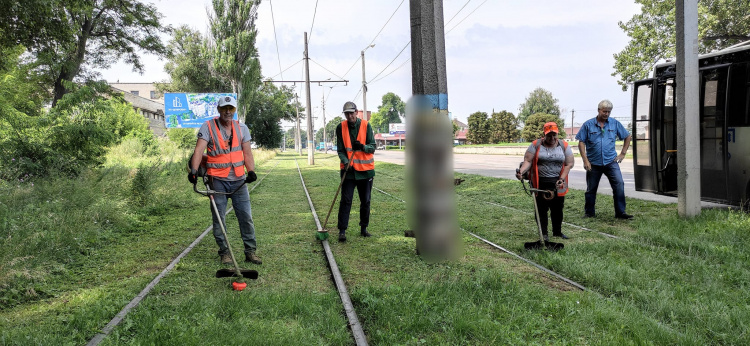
[(596, 143)]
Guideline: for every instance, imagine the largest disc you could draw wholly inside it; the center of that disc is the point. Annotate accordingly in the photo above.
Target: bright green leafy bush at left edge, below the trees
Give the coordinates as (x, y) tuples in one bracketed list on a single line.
[(69, 137)]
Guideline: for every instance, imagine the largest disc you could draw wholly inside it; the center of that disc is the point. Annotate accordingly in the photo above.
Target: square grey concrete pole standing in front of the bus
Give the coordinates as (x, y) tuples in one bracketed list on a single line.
[(688, 131)]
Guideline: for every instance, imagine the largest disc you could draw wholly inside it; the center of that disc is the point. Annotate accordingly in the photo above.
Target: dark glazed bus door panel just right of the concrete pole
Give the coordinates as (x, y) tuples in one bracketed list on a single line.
[(712, 132)]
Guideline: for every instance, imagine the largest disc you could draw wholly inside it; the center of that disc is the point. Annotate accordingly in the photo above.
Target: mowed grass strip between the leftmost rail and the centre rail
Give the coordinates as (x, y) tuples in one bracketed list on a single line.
[(292, 302)]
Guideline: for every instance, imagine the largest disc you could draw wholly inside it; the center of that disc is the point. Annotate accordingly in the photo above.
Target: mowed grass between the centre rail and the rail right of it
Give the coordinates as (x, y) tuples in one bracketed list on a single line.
[(483, 297)]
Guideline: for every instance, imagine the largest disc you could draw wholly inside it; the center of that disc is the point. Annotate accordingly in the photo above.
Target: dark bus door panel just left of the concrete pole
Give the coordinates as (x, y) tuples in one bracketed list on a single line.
[(665, 136)]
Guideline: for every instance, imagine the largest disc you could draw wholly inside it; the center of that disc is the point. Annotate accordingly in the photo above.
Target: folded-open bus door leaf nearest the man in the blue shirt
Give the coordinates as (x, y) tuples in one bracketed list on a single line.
[(643, 170)]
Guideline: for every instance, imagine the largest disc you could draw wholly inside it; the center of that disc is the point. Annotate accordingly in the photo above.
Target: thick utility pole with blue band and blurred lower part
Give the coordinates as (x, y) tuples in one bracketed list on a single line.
[(429, 151)]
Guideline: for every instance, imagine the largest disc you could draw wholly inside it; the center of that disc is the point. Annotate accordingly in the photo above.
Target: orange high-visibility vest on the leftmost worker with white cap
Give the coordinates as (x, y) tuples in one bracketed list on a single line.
[(222, 157)]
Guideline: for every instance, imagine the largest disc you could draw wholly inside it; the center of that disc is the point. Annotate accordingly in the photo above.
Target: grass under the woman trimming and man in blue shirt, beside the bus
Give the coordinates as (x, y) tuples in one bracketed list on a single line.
[(689, 277)]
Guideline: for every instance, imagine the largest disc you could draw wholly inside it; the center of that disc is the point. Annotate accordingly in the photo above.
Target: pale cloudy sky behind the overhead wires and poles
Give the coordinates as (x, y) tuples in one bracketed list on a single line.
[(497, 51)]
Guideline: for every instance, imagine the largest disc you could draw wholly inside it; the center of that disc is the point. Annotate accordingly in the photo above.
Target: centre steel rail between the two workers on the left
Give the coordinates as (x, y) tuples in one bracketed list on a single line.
[(359, 335)]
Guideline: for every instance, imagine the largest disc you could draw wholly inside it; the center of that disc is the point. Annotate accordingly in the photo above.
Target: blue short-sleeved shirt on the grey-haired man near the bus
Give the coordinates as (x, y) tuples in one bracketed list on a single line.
[(600, 141)]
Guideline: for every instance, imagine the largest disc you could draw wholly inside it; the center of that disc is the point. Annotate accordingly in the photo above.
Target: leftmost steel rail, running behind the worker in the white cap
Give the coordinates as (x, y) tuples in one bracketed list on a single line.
[(99, 337)]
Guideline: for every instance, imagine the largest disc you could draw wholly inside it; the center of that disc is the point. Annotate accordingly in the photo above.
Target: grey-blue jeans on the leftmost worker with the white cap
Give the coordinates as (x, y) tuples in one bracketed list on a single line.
[(241, 205)]
